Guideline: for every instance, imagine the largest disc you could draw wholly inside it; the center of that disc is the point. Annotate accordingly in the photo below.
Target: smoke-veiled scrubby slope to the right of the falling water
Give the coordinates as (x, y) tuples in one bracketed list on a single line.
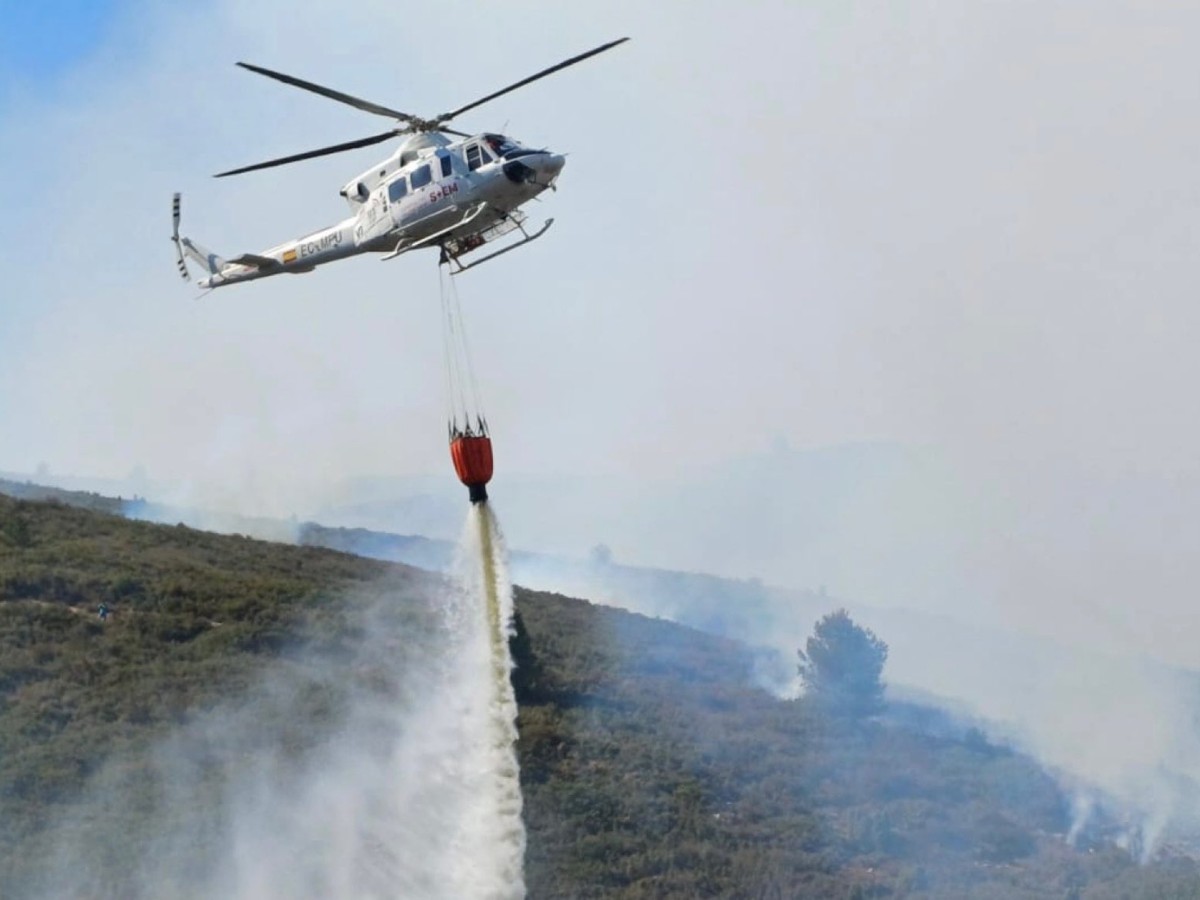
[(653, 770)]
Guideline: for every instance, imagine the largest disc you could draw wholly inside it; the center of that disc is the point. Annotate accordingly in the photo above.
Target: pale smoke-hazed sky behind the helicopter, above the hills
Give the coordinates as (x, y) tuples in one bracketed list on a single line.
[(963, 229)]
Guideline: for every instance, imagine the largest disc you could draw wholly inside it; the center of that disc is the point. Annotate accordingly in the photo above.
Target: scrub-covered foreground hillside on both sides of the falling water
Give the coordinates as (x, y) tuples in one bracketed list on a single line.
[(652, 767)]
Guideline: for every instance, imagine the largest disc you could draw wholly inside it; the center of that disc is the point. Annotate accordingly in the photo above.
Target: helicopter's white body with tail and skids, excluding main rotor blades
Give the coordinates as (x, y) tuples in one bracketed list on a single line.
[(457, 196)]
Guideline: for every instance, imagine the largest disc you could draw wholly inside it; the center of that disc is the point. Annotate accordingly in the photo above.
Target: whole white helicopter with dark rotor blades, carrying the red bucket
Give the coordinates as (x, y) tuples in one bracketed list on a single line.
[(457, 196)]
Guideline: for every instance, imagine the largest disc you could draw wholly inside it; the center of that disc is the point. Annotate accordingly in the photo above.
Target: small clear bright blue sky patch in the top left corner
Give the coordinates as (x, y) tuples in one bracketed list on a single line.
[(45, 39)]
